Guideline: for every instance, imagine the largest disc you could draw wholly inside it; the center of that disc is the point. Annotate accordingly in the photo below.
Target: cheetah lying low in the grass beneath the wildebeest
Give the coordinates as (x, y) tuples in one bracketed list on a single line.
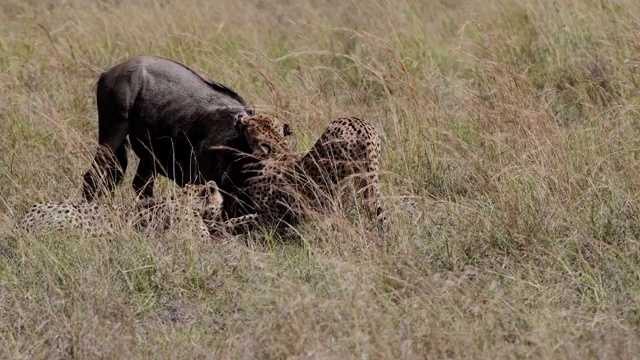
[(199, 206)]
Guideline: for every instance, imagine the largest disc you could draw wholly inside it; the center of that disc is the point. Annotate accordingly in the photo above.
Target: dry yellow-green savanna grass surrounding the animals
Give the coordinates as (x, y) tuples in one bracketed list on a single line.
[(511, 150)]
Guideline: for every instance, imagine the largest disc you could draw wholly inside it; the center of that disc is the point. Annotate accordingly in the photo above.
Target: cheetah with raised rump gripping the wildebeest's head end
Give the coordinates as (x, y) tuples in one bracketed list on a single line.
[(282, 184)]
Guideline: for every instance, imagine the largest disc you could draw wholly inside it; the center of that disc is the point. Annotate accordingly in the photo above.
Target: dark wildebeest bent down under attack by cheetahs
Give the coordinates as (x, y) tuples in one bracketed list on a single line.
[(173, 118)]
